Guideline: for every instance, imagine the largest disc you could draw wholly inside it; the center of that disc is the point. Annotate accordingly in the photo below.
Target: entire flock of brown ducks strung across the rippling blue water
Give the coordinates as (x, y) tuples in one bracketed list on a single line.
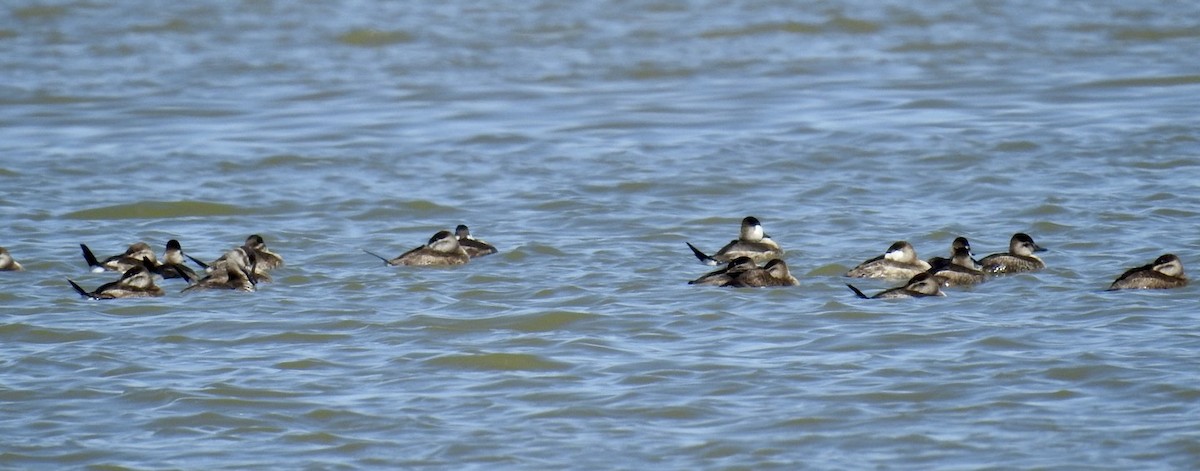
[(244, 267)]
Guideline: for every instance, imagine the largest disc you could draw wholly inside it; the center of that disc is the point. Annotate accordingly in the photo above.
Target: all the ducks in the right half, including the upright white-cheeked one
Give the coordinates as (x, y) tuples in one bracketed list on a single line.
[(925, 278)]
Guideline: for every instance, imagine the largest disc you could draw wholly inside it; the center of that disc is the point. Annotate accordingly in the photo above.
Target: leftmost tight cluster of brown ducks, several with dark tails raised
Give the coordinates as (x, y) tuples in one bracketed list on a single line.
[(241, 270)]
